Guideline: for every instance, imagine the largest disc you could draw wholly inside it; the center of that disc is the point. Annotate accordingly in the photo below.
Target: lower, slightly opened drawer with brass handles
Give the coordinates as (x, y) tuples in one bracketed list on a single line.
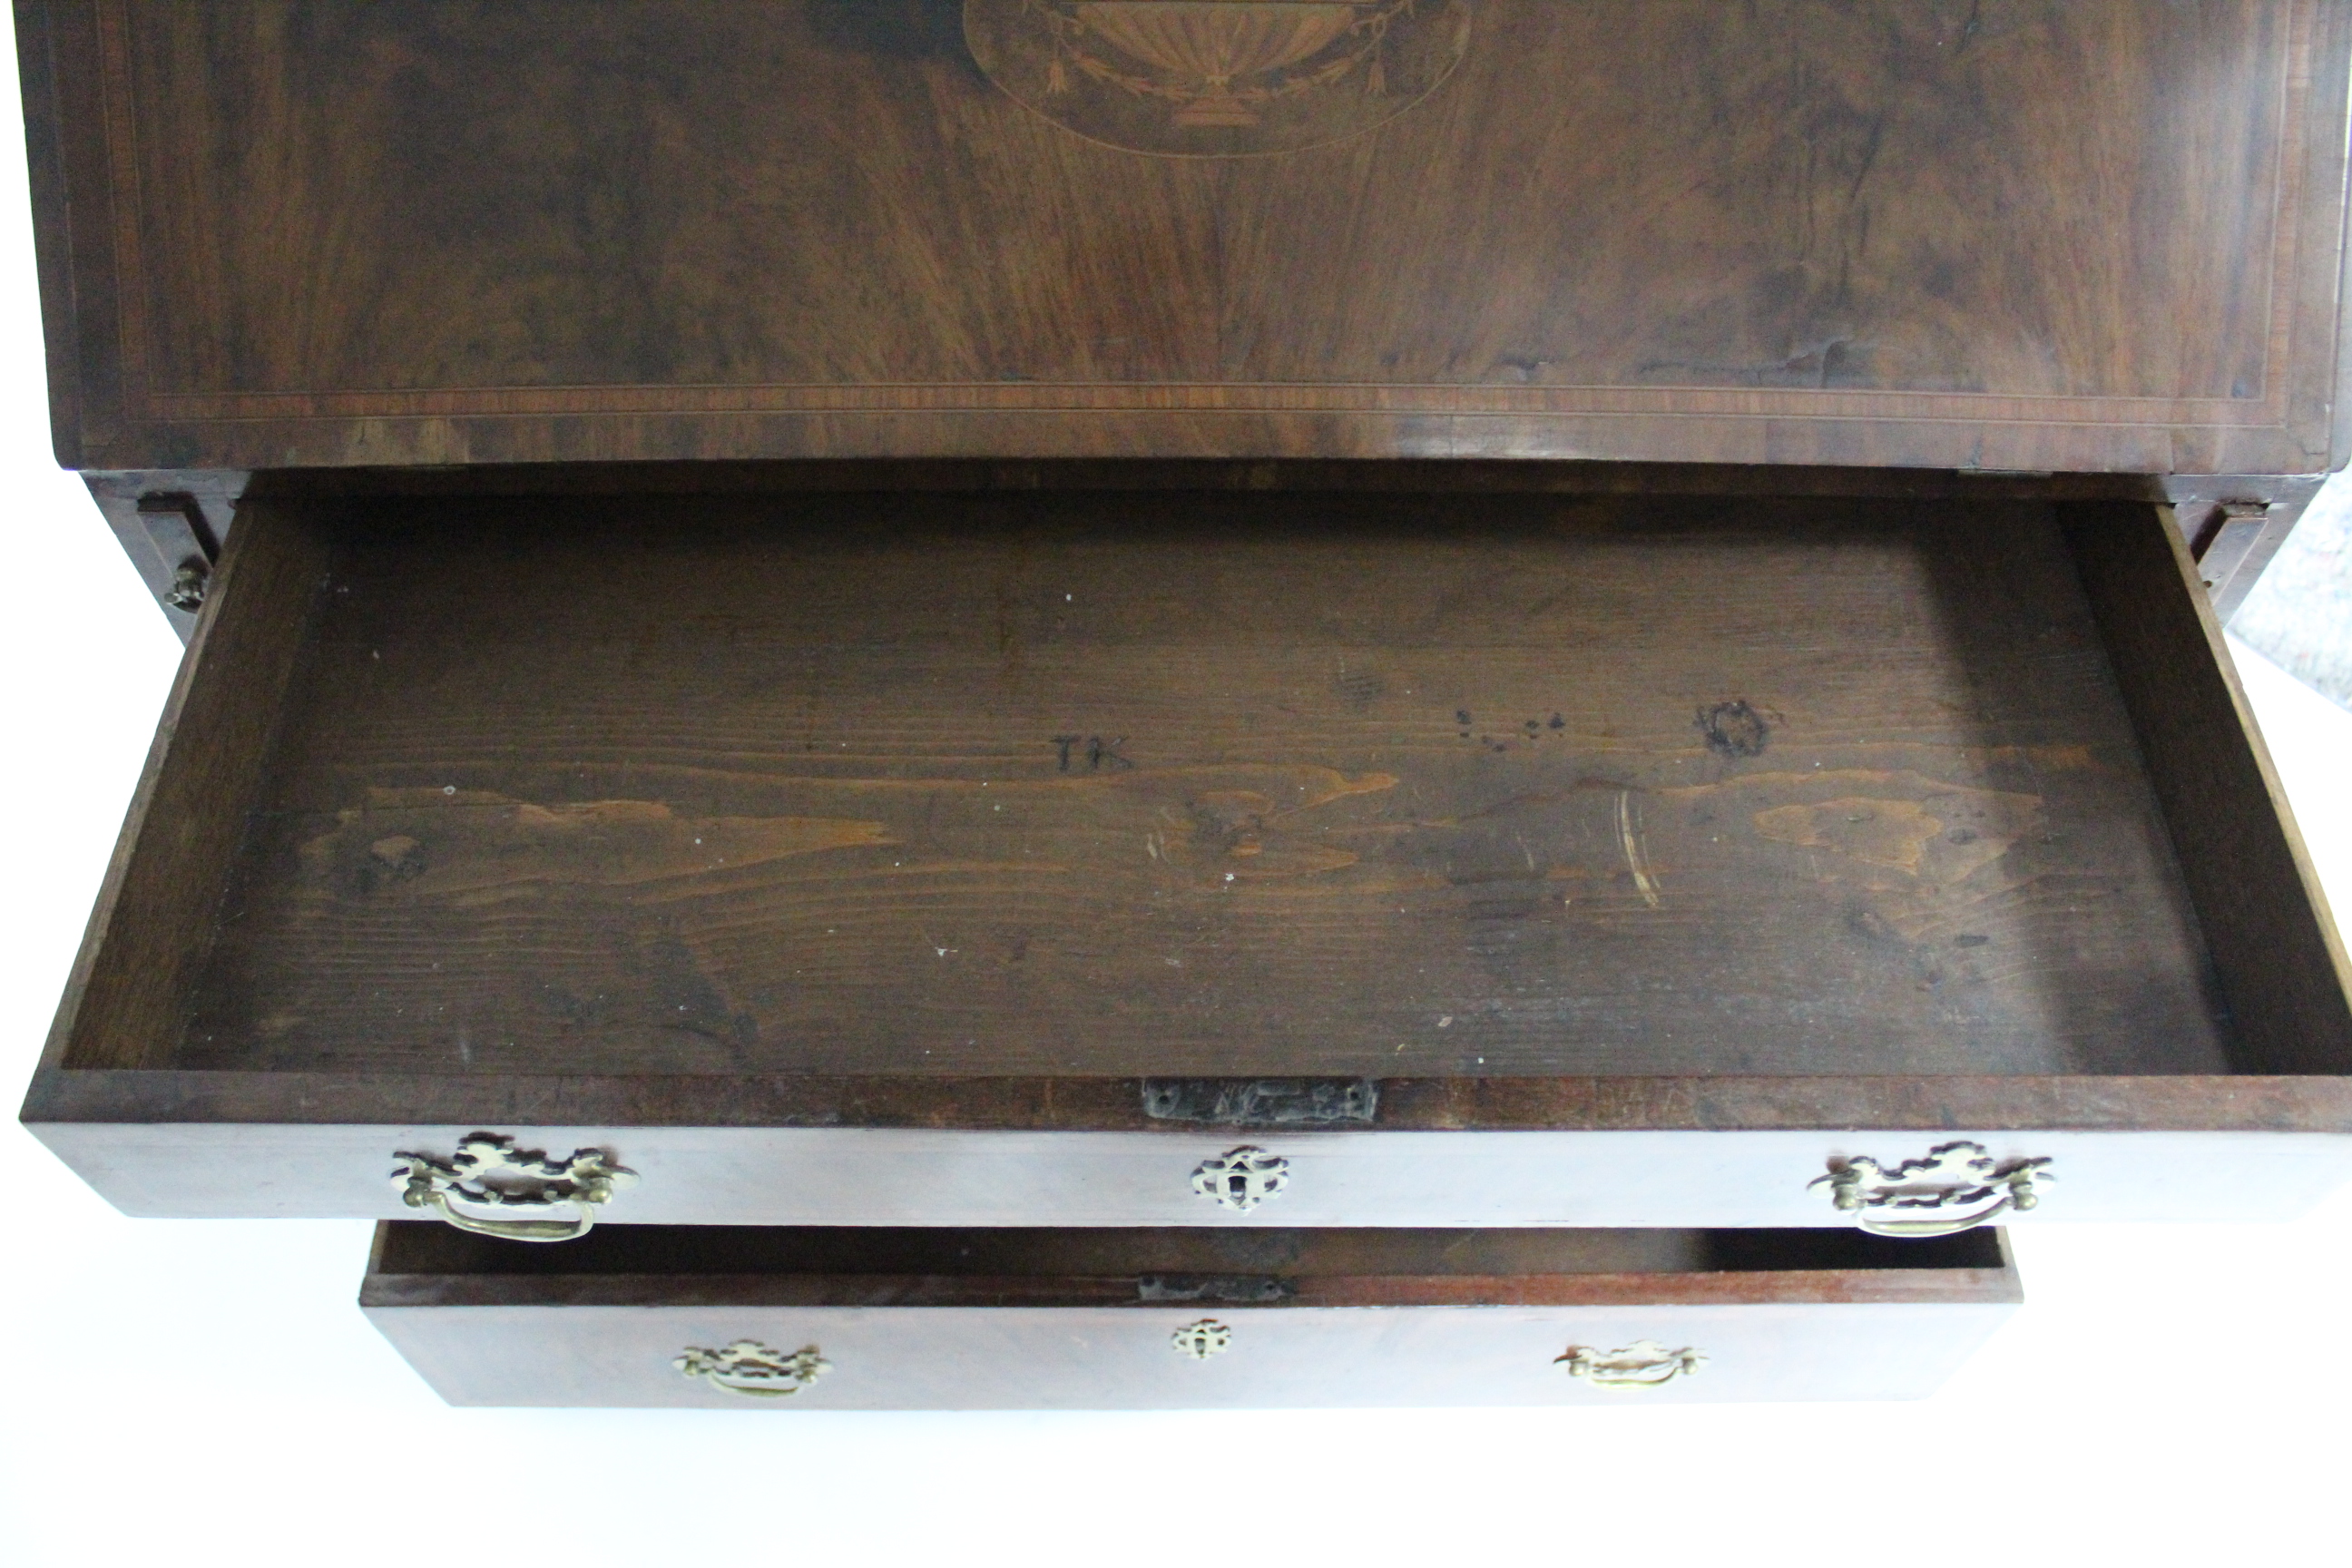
[(942, 1320)]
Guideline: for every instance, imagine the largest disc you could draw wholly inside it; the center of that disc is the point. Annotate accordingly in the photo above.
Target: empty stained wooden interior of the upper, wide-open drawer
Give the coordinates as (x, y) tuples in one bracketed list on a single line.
[(1135, 784)]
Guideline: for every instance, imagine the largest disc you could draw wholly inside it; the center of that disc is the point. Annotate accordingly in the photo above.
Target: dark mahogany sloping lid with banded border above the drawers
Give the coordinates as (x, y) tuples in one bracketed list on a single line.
[(2007, 234)]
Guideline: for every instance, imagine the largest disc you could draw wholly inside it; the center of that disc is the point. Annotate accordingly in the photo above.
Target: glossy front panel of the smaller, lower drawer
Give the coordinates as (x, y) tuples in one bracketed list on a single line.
[(1142, 1358)]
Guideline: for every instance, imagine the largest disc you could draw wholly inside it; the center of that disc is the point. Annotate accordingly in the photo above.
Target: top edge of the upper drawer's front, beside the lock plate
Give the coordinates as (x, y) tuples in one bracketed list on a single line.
[(74, 1097)]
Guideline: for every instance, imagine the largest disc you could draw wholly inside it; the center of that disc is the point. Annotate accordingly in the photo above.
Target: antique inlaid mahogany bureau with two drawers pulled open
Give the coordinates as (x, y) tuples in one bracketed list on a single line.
[(1419, 655)]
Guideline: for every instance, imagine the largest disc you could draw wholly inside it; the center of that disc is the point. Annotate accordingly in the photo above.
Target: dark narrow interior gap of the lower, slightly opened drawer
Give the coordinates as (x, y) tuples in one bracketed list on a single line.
[(944, 1266)]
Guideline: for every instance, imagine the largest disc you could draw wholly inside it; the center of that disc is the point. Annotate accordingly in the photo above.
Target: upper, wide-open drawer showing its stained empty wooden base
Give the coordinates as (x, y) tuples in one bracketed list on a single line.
[(1205, 859)]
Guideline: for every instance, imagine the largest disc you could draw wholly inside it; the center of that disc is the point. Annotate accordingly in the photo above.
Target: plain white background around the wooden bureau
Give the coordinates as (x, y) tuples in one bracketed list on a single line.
[(203, 1393)]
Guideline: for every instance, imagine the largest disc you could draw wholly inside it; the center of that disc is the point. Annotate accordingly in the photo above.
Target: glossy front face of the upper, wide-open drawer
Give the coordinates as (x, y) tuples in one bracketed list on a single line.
[(799, 1177)]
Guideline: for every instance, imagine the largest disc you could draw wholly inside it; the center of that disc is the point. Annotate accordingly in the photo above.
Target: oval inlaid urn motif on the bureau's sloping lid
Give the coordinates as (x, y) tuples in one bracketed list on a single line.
[(1217, 79)]
